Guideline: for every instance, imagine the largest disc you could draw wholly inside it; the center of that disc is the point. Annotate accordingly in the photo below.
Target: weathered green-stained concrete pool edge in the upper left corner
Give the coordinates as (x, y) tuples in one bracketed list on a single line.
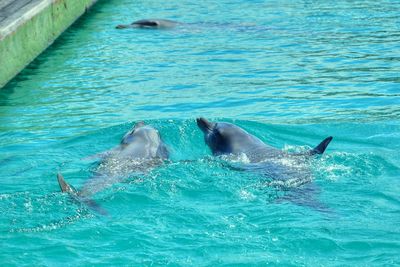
[(28, 27)]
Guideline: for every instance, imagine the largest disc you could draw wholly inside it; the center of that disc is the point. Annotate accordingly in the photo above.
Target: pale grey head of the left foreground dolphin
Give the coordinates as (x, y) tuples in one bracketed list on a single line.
[(141, 133)]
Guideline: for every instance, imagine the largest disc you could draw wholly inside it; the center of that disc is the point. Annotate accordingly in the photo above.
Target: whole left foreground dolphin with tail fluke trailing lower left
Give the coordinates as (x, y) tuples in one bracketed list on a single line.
[(140, 149)]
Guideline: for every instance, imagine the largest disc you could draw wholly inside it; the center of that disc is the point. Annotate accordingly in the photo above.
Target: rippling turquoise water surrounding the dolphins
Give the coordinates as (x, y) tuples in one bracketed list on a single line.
[(289, 72)]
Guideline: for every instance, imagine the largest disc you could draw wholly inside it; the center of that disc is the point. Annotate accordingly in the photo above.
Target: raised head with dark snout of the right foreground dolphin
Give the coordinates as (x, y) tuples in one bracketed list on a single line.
[(223, 137)]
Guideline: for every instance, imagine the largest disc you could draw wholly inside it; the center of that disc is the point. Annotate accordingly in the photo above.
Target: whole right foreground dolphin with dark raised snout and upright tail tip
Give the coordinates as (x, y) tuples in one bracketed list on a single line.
[(283, 169)]
